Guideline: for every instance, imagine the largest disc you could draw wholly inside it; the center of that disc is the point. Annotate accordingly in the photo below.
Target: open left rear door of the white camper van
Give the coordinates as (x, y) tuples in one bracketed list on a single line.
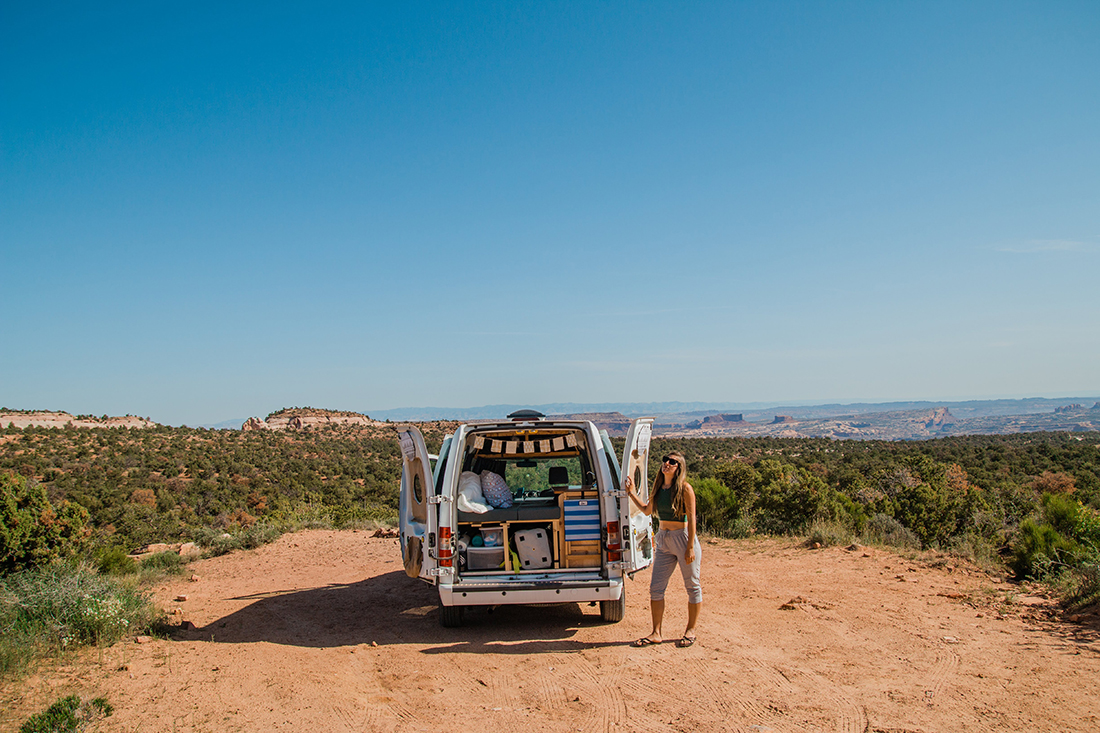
[(416, 512)]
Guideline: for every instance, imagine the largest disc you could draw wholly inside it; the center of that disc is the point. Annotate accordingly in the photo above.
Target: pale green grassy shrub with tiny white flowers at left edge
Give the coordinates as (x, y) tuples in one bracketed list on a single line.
[(62, 607)]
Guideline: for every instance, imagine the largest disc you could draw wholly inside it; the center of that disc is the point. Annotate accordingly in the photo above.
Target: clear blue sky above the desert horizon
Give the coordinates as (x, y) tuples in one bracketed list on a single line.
[(212, 211)]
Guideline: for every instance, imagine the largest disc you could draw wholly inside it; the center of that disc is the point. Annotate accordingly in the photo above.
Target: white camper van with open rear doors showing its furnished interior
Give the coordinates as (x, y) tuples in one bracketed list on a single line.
[(571, 534)]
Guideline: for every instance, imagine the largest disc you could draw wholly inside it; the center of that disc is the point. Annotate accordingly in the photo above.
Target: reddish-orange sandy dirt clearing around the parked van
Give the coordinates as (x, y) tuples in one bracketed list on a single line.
[(322, 631)]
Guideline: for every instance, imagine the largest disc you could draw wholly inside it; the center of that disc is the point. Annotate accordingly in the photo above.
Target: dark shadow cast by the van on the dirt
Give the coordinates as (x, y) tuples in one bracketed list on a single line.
[(393, 609)]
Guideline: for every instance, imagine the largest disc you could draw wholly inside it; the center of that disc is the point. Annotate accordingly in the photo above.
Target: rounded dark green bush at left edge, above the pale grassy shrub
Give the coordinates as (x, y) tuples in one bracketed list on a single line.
[(34, 532)]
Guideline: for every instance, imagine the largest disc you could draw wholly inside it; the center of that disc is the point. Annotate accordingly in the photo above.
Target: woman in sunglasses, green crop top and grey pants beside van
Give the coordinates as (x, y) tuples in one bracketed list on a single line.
[(677, 543)]
